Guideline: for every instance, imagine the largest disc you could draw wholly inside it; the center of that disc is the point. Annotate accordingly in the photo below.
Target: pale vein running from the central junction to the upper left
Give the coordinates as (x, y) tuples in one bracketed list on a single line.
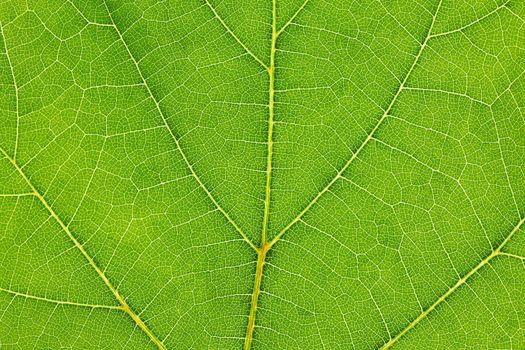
[(183, 155)]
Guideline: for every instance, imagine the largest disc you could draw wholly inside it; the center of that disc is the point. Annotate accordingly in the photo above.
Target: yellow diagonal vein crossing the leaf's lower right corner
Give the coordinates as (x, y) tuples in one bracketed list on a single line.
[(458, 284)]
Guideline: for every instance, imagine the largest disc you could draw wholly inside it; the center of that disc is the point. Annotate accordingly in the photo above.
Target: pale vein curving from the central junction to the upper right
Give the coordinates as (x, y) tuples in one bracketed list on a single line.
[(368, 138)]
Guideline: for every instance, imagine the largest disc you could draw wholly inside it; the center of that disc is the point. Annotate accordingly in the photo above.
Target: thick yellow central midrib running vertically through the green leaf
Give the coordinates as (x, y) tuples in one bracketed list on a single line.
[(263, 249)]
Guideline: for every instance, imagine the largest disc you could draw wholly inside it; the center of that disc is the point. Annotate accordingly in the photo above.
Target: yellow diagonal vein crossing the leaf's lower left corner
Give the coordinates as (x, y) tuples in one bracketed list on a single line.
[(124, 305)]
